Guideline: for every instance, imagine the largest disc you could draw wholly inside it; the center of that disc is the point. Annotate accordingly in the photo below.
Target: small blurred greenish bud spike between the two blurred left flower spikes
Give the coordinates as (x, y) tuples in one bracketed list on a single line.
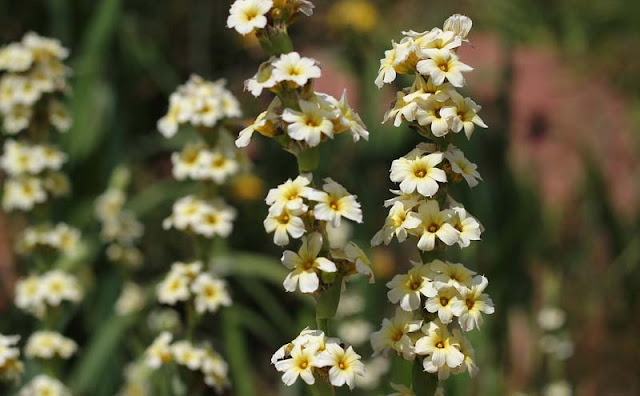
[(121, 230)]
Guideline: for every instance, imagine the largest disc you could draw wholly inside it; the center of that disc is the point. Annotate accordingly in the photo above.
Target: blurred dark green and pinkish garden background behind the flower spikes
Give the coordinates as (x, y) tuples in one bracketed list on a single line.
[(560, 89)]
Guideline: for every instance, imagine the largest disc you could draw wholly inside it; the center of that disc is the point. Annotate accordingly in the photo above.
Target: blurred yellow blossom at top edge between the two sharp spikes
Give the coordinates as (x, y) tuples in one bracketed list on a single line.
[(359, 15)]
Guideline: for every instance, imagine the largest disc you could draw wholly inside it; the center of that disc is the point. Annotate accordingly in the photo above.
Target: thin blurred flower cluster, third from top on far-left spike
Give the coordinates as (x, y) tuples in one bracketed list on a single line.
[(45, 238)]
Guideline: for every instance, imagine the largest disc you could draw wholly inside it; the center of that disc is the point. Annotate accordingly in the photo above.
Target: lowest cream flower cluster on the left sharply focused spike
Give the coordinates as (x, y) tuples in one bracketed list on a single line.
[(312, 352)]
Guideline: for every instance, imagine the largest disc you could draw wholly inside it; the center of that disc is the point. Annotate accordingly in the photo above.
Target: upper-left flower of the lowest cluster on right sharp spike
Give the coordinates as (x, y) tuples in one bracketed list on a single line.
[(407, 289)]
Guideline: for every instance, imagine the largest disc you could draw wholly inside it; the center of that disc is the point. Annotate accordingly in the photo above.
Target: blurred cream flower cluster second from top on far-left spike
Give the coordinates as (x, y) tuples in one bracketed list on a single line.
[(34, 174)]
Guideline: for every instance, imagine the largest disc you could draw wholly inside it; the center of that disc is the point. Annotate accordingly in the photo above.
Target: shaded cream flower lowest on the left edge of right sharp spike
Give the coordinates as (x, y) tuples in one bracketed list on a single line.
[(394, 334)]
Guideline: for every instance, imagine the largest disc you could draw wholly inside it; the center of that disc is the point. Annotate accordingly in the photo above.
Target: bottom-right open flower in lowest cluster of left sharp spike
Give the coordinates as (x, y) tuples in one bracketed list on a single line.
[(344, 365)]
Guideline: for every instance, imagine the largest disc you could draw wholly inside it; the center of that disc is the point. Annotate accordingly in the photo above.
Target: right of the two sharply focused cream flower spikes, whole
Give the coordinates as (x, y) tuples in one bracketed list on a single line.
[(433, 292)]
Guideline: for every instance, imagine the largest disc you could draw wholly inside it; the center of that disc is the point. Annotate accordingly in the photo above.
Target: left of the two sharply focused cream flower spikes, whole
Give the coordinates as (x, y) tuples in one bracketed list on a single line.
[(300, 119)]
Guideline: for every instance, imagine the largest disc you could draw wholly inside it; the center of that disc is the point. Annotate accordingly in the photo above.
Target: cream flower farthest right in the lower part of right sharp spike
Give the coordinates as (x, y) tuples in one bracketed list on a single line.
[(471, 303)]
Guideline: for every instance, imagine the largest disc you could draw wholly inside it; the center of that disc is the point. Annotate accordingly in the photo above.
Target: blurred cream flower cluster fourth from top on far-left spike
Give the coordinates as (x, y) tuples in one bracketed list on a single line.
[(39, 293)]
